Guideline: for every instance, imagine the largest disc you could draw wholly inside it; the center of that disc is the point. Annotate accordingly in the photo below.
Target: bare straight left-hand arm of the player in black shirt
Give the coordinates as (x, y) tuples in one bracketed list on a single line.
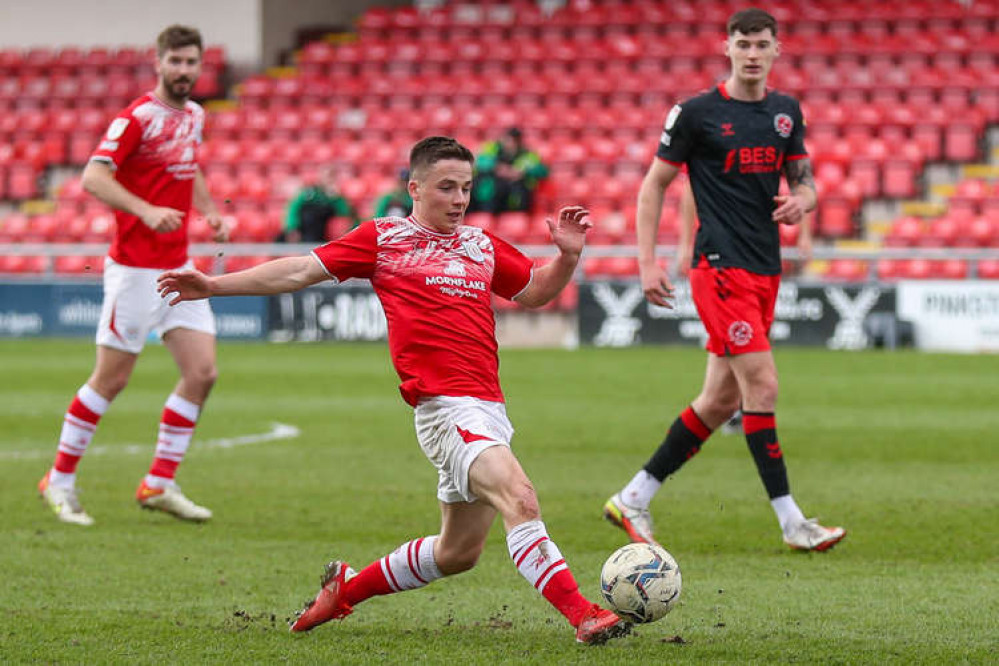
[(655, 283)]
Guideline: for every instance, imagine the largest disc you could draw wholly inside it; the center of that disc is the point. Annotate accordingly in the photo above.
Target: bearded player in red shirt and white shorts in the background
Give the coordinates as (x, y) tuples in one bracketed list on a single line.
[(146, 168)]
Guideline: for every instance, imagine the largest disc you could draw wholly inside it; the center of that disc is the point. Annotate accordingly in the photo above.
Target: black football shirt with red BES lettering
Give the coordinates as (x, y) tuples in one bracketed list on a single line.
[(735, 152)]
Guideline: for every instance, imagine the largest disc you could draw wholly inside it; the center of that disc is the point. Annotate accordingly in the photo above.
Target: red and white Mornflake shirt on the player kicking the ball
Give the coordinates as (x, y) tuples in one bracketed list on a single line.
[(435, 290)]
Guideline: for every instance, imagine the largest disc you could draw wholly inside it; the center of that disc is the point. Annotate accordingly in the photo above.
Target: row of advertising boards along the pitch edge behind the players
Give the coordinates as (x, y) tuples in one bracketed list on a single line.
[(932, 315)]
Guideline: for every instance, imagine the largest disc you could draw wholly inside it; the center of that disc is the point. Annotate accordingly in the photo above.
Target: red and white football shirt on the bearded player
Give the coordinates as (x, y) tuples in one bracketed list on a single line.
[(153, 149)]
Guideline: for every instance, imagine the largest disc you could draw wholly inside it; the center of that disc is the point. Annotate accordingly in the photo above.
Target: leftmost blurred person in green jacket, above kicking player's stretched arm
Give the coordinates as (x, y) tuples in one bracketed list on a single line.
[(313, 206)]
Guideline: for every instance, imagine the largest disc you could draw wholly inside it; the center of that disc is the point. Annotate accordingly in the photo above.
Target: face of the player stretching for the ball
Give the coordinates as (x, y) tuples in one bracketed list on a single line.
[(441, 195)]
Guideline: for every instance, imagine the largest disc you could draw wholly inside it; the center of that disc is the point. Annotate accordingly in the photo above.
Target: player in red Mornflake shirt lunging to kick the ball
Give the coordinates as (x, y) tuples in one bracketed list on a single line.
[(433, 276)]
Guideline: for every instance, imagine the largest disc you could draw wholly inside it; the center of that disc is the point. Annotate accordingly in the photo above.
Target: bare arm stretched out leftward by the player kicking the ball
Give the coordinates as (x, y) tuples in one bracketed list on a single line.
[(273, 277)]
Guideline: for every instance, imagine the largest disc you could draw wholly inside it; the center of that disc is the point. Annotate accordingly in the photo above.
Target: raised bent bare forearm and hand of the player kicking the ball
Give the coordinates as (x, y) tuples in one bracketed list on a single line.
[(569, 236)]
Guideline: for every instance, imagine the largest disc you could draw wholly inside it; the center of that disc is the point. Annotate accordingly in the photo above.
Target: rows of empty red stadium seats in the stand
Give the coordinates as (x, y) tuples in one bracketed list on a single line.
[(887, 87)]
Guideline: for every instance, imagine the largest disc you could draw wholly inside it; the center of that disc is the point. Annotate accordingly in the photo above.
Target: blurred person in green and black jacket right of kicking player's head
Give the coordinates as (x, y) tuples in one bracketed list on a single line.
[(506, 174)]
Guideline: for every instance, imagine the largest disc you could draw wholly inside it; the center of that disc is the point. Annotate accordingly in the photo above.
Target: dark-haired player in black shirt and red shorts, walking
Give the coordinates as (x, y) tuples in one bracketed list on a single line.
[(736, 141)]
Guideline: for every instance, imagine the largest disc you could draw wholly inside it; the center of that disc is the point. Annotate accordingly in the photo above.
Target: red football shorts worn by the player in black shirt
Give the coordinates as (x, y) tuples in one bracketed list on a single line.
[(736, 307)]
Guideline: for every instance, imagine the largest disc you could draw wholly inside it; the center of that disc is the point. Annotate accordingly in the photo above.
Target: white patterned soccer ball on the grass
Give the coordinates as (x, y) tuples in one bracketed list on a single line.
[(641, 582)]
